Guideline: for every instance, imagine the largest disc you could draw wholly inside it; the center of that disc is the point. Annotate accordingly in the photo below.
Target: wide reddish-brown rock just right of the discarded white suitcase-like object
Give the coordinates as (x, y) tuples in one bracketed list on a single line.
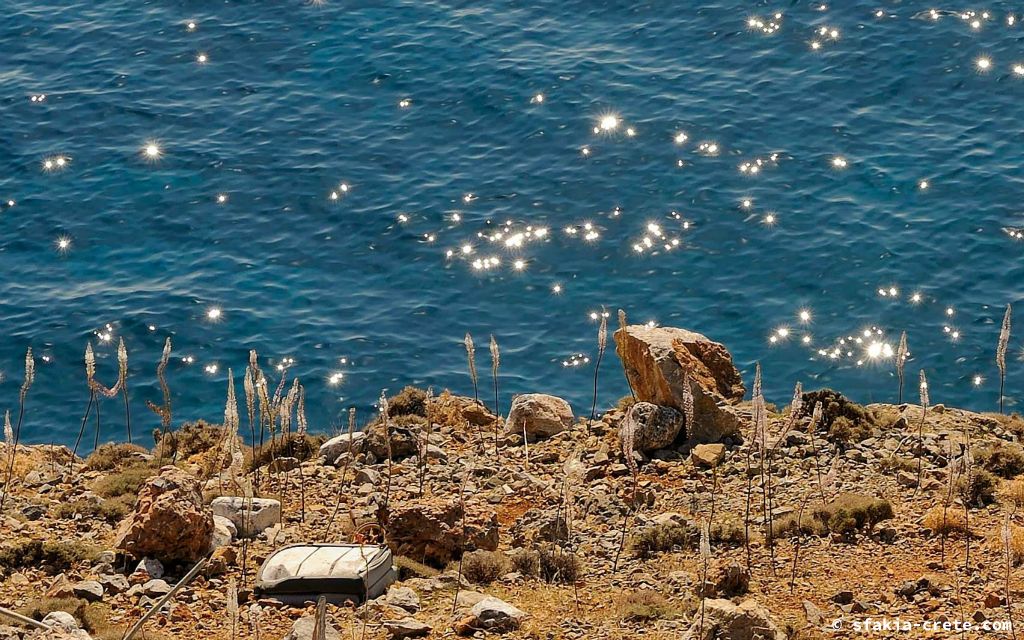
[(432, 530)]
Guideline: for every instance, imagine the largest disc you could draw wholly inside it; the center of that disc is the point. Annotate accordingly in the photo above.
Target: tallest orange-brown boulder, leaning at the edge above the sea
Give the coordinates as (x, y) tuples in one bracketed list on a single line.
[(658, 360)]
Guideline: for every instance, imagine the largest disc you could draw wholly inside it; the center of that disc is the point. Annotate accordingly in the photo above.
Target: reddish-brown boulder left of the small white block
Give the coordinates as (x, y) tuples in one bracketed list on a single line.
[(170, 522)]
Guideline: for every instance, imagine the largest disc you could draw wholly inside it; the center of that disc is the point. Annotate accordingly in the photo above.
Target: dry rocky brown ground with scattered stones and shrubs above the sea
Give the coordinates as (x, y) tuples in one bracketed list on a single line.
[(879, 511)]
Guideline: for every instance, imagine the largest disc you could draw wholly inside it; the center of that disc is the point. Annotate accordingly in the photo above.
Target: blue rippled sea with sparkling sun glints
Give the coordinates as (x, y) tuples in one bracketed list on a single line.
[(351, 187)]
